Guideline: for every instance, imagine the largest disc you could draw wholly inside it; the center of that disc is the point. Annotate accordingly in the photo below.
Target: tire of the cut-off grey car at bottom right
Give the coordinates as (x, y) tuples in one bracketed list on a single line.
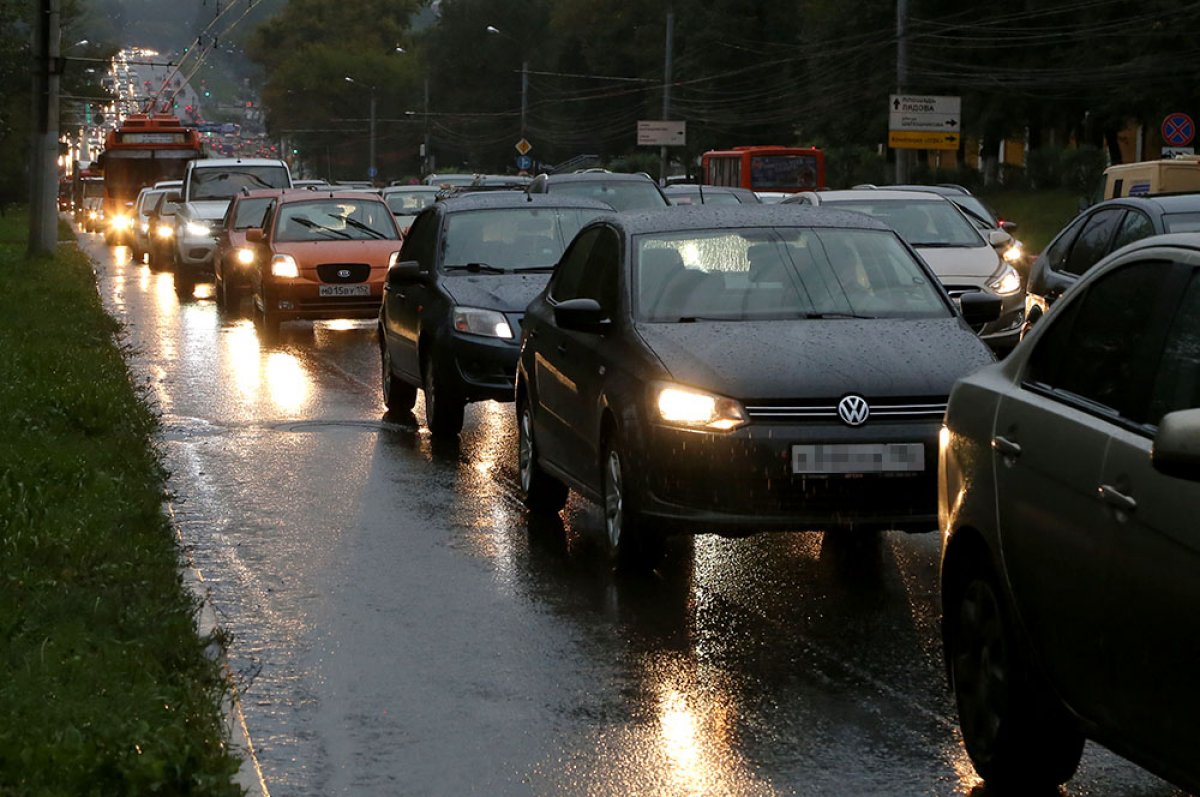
[(1017, 734)]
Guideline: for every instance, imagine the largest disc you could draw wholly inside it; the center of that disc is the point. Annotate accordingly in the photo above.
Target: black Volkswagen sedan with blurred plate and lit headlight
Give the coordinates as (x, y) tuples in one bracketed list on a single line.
[(736, 370)]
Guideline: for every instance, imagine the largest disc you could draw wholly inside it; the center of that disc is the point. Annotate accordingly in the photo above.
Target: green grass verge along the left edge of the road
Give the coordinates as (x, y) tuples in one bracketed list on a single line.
[(105, 686)]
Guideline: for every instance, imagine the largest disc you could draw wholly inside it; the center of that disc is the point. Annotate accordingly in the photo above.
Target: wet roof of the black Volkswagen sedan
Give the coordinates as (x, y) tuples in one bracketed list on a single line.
[(733, 218)]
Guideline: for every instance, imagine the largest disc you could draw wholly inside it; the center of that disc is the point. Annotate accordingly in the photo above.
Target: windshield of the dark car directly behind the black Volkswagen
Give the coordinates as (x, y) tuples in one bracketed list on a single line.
[(512, 238)]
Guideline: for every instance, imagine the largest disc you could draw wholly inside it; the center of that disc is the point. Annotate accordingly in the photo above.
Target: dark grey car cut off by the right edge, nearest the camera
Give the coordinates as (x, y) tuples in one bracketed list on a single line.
[(1069, 495)]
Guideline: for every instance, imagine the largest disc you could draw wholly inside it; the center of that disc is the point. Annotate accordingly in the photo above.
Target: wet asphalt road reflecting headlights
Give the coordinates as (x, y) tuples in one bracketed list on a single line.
[(400, 626)]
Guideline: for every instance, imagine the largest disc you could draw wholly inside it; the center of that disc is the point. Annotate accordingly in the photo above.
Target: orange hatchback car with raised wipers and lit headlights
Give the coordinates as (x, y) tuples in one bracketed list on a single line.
[(322, 255)]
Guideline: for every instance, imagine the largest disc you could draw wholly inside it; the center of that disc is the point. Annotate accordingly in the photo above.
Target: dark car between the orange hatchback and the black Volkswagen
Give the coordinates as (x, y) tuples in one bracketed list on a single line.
[(457, 293)]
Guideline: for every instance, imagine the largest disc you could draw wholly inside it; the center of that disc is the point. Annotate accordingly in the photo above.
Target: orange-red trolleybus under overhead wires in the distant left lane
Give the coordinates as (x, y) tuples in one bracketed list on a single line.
[(146, 149)]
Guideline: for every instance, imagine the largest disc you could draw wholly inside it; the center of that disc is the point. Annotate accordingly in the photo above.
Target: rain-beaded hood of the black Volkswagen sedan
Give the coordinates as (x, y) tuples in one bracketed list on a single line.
[(819, 359)]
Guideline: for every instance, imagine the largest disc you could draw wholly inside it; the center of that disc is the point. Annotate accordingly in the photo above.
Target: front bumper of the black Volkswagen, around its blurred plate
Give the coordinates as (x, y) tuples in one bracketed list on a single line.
[(743, 482)]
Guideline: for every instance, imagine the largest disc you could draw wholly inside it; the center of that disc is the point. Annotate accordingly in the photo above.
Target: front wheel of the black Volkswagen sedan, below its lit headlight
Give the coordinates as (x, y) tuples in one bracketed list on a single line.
[(631, 542)]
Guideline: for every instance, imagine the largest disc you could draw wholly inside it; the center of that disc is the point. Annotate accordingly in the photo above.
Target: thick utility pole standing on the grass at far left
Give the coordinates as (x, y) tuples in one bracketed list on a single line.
[(44, 189)]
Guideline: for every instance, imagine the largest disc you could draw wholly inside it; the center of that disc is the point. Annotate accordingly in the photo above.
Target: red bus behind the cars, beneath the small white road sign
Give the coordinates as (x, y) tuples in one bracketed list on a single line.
[(785, 170)]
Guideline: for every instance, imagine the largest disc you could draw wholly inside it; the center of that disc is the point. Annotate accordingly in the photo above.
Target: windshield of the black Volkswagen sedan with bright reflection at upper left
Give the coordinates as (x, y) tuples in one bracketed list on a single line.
[(784, 273)]
